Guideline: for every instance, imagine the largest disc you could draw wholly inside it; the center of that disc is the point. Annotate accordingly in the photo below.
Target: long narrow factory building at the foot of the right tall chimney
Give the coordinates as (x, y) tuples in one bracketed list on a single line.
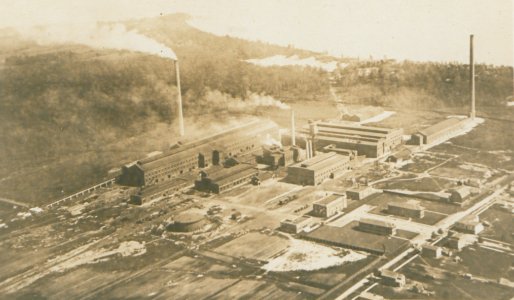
[(439, 132)]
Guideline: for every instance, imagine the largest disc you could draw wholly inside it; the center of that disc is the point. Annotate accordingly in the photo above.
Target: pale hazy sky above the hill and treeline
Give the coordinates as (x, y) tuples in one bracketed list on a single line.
[(436, 30)]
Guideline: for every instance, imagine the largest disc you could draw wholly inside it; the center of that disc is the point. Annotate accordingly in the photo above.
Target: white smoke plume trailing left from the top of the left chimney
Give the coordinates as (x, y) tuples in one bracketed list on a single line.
[(103, 36)]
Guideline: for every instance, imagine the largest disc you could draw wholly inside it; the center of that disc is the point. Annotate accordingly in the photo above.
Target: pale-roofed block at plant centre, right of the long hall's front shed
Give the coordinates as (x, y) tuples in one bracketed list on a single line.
[(318, 168)]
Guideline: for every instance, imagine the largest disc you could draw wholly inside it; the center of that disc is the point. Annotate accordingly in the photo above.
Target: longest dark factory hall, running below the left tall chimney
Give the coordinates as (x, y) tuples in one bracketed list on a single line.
[(212, 150)]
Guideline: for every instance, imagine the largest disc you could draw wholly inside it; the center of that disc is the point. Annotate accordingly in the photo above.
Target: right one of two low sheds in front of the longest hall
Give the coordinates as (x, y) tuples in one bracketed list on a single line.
[(221, 180)]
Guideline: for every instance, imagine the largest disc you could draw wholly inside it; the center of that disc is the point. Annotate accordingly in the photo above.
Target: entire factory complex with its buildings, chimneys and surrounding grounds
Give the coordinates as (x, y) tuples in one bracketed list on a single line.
[(319, 209)]
